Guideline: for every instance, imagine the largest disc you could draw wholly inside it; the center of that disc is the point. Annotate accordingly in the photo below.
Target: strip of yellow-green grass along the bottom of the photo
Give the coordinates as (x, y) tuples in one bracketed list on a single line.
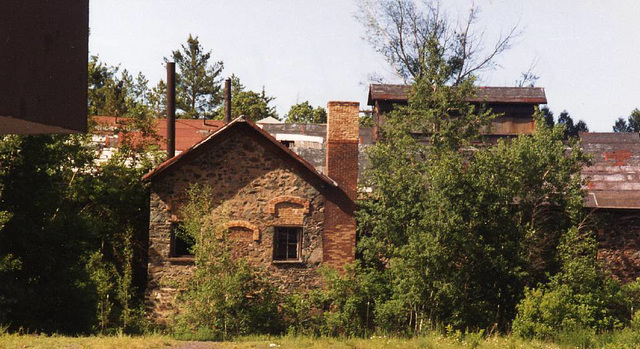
[(621, 340)]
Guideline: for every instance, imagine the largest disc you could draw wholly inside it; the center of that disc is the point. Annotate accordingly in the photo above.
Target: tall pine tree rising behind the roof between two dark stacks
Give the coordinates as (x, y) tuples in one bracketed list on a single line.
[(198, 82)]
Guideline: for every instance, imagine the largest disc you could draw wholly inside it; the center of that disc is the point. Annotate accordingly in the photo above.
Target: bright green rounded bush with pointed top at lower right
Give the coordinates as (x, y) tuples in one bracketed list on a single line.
[(581, 296)]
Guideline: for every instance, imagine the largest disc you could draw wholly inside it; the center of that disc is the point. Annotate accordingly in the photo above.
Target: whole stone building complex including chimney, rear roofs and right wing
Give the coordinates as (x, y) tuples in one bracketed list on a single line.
[(289, 189)]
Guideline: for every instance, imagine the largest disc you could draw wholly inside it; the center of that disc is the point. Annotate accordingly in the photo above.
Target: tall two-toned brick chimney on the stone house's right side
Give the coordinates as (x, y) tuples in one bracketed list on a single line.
[(339, 236)]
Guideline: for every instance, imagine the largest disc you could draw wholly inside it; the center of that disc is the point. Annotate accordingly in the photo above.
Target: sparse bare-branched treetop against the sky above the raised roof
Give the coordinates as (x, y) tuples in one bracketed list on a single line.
[(403, 30)]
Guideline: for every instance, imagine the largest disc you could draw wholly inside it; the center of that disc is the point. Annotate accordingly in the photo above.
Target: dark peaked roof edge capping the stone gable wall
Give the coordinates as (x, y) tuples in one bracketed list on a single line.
[(221, 135)]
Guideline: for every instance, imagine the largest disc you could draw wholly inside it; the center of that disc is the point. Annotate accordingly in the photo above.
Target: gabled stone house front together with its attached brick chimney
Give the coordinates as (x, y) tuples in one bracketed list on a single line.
[(281, 212)]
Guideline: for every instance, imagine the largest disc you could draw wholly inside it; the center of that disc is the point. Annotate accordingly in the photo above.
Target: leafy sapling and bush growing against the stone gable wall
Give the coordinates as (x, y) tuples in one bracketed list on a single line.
[(226, 297)]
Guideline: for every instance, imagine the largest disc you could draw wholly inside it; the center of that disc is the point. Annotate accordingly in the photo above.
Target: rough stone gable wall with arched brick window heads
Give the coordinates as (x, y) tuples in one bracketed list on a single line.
[(260, 190)]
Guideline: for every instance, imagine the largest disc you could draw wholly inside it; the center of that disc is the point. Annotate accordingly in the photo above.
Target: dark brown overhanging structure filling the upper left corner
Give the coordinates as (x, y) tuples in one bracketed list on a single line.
[(43, 66)]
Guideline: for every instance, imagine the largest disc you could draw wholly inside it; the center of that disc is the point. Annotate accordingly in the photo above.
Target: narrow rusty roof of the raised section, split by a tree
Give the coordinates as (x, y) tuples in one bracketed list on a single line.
[(487, 94)]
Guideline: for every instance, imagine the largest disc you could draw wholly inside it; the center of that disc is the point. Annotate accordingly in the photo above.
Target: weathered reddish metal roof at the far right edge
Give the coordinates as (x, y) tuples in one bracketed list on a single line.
[(613, 179)]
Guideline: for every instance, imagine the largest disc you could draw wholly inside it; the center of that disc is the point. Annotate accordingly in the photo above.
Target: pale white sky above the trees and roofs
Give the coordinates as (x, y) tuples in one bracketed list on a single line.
[(586, 53)]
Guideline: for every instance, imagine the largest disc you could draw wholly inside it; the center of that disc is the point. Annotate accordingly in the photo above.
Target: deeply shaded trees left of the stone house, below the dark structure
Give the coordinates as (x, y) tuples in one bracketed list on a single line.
[(67, 246)]
